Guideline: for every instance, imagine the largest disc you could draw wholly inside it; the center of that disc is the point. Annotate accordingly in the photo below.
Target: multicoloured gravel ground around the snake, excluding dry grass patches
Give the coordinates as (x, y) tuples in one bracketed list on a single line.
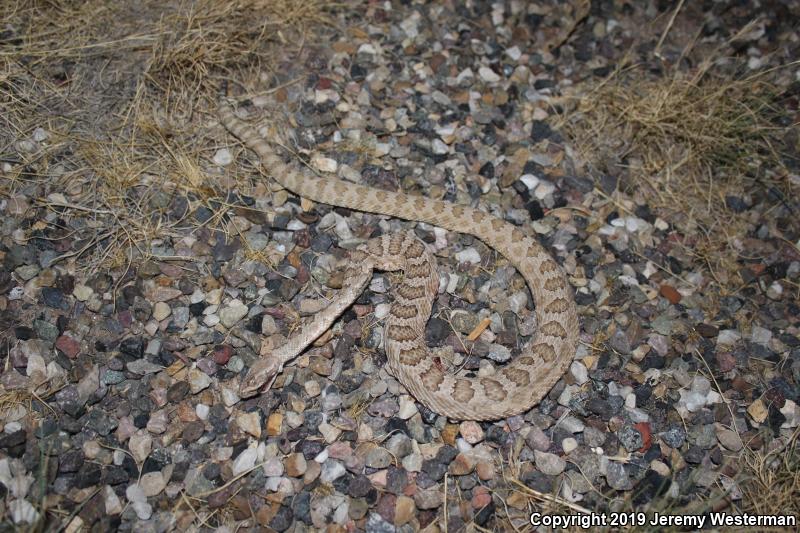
[(119, 406)]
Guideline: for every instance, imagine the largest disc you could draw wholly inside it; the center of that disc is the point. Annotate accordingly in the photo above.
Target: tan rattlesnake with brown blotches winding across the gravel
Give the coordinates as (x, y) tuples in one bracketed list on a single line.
[(512, 389)]
